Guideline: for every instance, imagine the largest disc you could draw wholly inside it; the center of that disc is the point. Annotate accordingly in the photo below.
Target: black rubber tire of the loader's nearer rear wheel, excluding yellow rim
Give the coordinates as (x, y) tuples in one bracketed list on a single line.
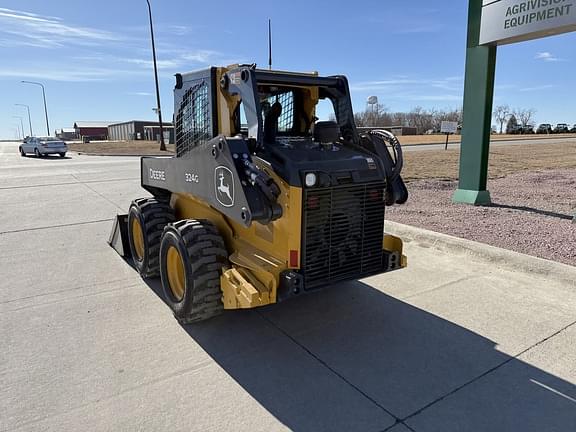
[(203, 254)]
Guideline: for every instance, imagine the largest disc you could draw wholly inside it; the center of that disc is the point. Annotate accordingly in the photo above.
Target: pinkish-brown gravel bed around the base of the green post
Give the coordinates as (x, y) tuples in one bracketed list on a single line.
[(531, 213)]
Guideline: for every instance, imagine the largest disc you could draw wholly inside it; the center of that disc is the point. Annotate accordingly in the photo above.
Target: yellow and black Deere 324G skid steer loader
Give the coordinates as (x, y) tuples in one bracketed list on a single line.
[(262, 201)]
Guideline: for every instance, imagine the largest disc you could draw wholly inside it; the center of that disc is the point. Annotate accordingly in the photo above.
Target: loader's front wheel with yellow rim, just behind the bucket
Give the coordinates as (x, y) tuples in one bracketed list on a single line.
[(152, 215)]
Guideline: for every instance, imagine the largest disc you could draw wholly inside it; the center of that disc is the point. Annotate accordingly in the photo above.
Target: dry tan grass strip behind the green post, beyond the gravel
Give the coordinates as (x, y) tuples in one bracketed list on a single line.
[(504, 160)]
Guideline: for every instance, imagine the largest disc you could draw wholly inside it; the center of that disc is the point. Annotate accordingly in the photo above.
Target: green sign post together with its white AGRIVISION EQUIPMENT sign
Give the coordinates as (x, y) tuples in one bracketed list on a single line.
[(492, 23)]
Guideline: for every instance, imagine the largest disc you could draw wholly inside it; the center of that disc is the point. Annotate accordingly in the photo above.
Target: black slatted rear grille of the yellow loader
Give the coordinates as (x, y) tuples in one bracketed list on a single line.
[(343, 228)]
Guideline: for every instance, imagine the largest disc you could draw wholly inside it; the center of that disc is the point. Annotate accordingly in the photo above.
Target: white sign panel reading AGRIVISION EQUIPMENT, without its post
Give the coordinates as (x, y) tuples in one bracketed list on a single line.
[(508, 21)]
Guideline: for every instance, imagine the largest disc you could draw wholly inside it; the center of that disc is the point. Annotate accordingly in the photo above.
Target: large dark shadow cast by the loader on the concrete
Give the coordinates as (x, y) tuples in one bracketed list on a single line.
[(384, 354)]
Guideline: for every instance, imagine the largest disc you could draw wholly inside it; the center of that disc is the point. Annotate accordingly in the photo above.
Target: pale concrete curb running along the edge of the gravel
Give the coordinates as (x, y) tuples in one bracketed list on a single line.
[(501, 258)]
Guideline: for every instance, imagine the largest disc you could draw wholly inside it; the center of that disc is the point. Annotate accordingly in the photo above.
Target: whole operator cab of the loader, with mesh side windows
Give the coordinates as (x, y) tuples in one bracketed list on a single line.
[(267, 108)]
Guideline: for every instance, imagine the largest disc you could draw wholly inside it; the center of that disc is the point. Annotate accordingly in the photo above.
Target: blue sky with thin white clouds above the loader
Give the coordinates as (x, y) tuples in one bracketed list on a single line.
[(94, 56)]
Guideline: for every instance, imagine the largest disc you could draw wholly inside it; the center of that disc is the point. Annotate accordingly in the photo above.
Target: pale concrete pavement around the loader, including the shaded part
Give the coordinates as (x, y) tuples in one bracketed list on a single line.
[(453, 343)]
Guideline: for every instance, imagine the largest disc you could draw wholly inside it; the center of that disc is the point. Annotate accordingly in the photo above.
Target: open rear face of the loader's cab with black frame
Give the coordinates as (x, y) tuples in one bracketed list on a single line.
[(278, 106)]
